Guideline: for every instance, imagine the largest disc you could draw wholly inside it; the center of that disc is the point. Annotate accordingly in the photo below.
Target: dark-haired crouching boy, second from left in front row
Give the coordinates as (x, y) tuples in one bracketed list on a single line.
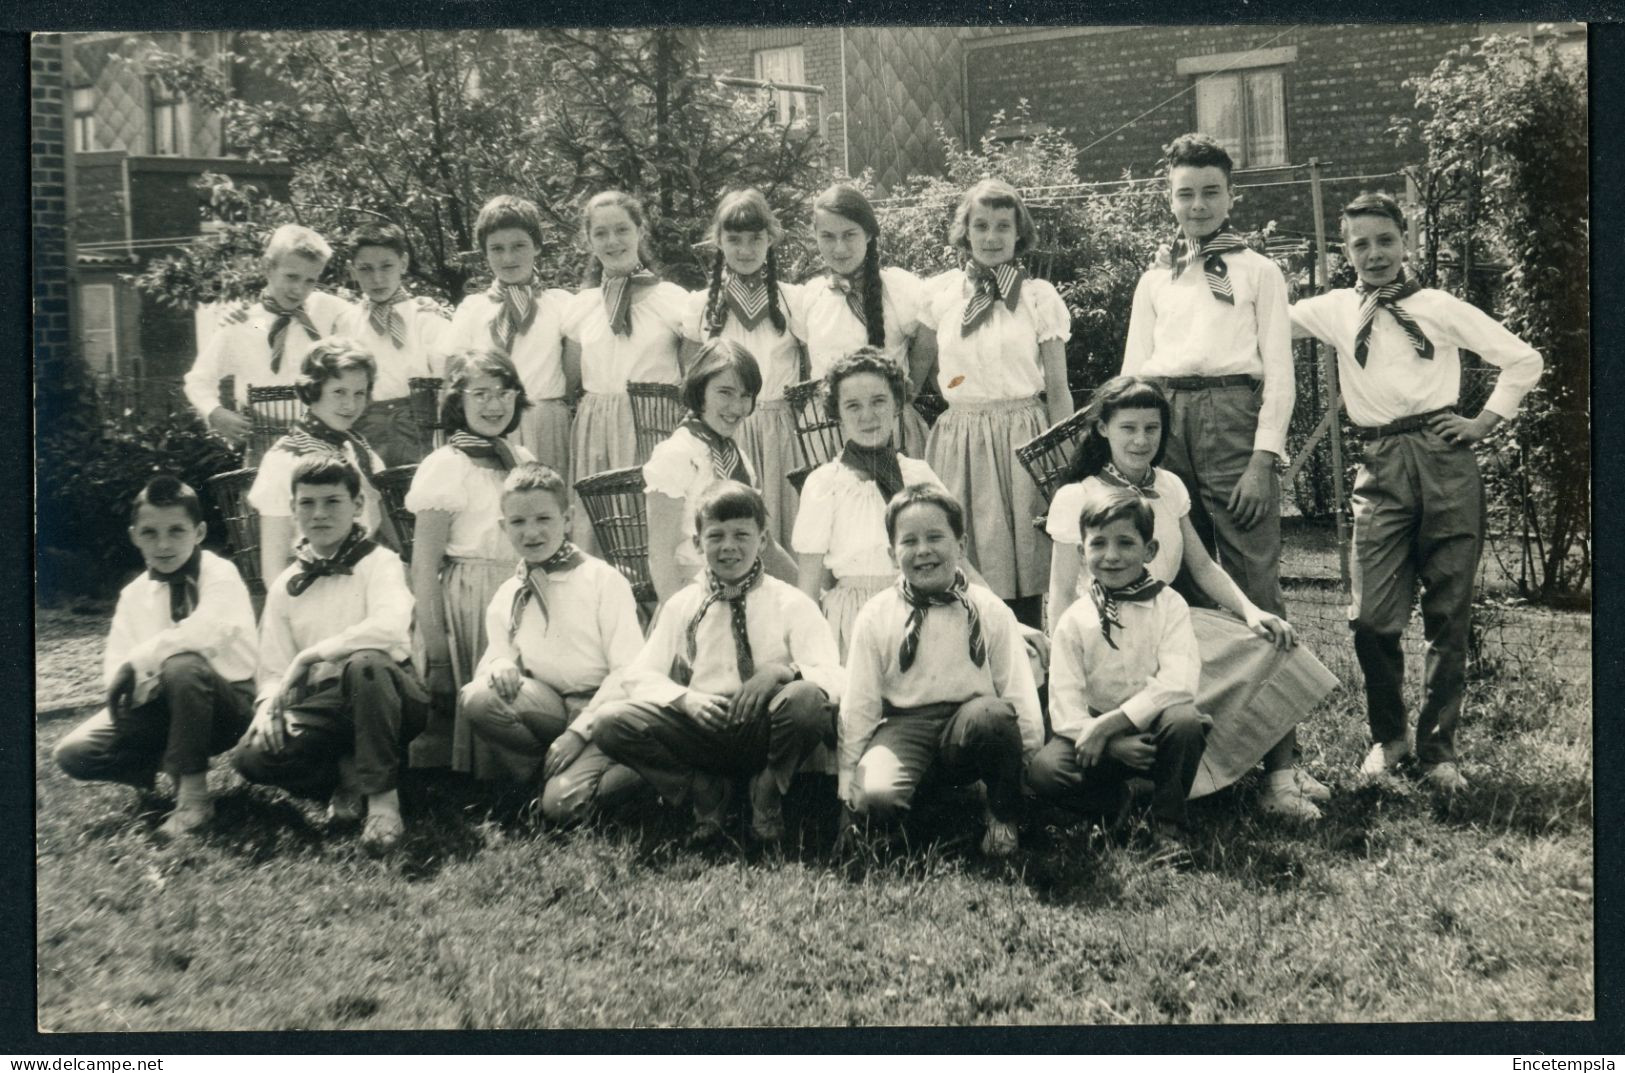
[(339, 703)]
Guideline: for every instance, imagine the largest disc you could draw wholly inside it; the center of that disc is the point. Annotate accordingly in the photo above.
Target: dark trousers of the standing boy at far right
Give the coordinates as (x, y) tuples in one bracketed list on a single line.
[(1418, 516)]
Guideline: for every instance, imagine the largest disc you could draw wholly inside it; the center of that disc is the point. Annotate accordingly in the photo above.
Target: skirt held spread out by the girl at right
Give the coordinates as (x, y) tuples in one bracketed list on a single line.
[(1252, 692)]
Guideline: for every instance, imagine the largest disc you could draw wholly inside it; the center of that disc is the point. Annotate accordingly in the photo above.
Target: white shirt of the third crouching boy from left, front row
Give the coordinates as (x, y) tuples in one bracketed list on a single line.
[(589, 632)]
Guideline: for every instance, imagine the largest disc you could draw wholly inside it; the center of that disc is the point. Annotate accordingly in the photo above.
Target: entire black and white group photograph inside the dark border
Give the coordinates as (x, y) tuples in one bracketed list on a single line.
[(813, 526)]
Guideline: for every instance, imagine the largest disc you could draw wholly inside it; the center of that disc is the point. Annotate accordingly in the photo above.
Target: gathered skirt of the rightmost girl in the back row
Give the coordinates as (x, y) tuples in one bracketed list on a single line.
[(973, 450)]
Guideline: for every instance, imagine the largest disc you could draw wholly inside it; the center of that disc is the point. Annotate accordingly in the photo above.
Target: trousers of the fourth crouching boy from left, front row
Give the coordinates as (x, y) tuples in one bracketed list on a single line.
[(667, 747)]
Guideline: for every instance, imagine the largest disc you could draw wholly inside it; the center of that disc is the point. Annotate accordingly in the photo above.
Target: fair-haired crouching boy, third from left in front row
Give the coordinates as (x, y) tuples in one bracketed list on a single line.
[(557, 630)]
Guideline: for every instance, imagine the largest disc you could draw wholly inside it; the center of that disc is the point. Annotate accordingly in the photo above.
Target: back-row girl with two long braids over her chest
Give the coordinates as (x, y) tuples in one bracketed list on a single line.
[(750, 306)]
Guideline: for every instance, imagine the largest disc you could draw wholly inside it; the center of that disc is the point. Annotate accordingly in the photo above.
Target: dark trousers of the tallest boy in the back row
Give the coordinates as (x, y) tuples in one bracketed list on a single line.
[(1211, 428)]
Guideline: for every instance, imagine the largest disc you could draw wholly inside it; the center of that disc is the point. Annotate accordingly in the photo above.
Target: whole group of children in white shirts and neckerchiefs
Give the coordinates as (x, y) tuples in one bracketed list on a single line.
[(901, 645)]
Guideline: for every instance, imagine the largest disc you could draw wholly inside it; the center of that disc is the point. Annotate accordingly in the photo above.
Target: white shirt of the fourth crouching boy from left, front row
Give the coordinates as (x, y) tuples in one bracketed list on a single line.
[(782, 622)]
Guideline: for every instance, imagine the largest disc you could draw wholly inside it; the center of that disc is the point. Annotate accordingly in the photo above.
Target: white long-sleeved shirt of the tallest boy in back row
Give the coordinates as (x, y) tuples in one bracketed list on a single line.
[(1181, 329)]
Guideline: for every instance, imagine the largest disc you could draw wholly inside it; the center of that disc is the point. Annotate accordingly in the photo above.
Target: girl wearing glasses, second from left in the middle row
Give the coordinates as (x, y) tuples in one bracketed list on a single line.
[(461, 555)]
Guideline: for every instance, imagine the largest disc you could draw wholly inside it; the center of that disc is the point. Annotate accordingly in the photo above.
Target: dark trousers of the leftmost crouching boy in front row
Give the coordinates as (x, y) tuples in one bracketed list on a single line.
[(196, 715)]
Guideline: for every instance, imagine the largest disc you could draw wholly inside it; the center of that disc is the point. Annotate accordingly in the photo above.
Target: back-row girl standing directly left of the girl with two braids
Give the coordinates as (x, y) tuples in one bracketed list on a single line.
[(626, 324)]
